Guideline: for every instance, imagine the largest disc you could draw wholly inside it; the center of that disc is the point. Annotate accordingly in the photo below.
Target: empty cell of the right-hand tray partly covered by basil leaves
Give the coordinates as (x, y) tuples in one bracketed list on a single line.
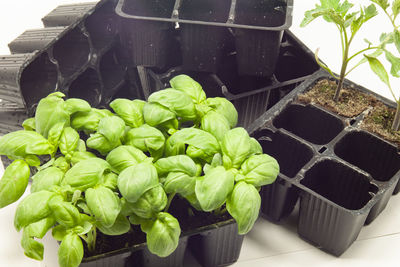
[(279, 198)]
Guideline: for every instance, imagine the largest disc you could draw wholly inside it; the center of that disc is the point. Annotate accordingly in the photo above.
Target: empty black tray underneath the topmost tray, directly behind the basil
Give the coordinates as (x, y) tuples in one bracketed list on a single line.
[(252, 96)]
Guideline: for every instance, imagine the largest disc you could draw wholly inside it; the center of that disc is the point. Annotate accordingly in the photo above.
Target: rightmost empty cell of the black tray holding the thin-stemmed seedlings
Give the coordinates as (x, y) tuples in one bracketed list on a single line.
[(375, 156)]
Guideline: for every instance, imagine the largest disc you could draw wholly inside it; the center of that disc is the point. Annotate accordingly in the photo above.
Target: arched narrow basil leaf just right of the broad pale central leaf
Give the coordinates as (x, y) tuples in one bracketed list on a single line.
[(179, 163)]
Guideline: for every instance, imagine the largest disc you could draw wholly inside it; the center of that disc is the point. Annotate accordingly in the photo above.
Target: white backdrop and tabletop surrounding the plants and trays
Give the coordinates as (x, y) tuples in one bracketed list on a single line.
[(267, 244)]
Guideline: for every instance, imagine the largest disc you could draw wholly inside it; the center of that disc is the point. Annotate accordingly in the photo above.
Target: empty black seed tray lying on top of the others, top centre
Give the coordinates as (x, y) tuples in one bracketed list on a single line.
[(206, 31)]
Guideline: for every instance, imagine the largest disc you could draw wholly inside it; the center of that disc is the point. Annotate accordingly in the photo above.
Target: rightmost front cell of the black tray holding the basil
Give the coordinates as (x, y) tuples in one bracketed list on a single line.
[(217, 247)]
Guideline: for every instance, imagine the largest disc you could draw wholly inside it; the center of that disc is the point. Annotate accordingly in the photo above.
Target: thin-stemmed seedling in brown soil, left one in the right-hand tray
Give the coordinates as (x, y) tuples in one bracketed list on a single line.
[(348, 24)]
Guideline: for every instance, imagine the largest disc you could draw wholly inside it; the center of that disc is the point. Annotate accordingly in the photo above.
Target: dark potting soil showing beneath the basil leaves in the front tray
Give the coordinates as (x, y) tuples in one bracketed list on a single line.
[(189, 219)]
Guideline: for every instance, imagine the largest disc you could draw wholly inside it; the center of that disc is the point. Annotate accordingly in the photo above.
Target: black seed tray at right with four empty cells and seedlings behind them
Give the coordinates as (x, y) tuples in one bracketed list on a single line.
[(343, 176)]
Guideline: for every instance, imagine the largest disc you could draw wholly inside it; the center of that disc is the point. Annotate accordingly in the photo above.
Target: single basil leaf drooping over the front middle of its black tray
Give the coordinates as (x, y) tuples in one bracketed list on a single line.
[(163, 235)]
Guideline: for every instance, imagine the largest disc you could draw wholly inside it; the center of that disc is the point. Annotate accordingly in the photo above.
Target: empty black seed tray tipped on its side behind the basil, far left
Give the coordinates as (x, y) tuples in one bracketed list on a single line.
[(77, 53)]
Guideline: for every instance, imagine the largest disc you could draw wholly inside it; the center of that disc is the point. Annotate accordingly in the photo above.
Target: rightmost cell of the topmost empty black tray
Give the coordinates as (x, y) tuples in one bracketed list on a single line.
[(257, 49)]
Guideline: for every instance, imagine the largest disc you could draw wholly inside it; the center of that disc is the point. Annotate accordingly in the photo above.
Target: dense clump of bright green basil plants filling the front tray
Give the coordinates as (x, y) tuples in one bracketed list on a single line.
[(99, 171)]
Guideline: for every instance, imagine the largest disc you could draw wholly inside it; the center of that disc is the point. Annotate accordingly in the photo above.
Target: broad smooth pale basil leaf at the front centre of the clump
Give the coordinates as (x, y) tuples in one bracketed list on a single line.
[(134, 181)]
